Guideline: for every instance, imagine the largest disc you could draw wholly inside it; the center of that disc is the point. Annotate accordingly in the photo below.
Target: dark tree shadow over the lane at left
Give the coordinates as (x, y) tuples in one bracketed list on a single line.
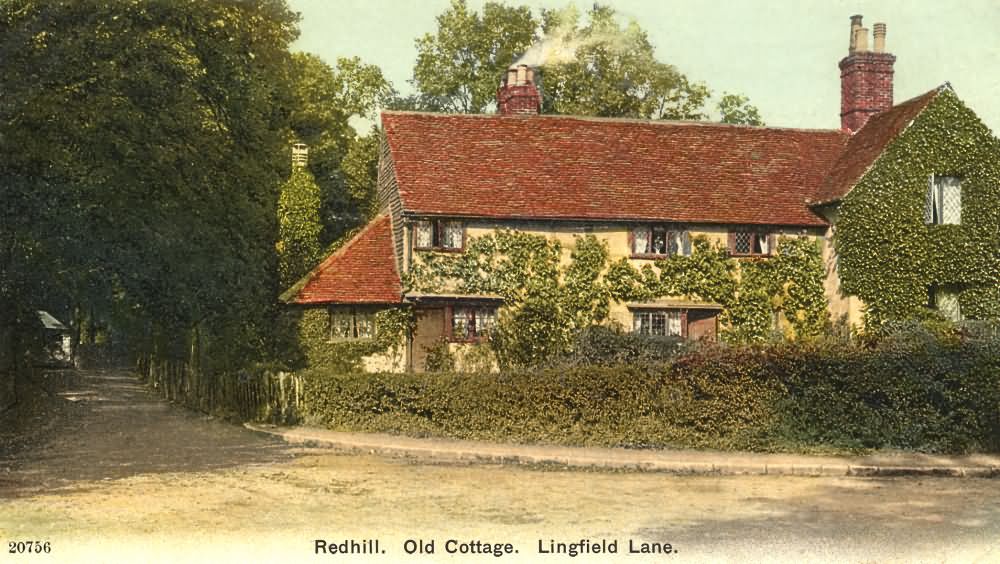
[(81, 426)]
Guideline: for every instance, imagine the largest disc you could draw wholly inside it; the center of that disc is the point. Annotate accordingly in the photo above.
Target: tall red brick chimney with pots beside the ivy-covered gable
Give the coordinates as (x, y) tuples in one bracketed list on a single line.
[(865, 77)]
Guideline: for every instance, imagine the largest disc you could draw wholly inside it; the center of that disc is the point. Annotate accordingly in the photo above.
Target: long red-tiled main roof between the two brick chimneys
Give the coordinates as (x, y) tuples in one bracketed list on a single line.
[(558, 167)]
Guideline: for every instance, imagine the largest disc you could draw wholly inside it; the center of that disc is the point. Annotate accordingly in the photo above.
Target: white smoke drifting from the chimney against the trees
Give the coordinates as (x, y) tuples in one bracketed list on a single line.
[(560, 43)]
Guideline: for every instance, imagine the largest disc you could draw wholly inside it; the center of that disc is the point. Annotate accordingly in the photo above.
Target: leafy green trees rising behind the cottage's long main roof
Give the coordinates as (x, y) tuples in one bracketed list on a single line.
[(588, 66)]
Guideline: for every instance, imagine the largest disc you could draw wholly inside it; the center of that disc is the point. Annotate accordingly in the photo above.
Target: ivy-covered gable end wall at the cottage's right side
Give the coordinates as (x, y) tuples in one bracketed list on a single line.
[(888, 256)]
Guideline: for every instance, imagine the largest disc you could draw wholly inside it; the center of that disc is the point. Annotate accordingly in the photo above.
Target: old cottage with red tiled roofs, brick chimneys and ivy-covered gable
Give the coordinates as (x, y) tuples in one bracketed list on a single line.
[(649, 189)]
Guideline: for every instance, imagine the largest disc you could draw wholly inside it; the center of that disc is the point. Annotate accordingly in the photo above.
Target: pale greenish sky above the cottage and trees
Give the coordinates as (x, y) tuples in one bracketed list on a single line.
[(783, 55)]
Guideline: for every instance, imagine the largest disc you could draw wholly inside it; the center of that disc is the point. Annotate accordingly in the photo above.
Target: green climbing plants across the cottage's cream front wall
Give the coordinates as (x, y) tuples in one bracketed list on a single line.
[(546, 304)]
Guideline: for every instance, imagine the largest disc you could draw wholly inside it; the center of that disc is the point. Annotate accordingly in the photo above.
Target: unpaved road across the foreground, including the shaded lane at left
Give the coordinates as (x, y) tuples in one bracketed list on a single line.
[(117, 475)]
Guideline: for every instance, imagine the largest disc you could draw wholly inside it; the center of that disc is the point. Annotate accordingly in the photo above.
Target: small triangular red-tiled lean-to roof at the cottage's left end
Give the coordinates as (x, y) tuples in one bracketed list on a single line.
[(363, 270)]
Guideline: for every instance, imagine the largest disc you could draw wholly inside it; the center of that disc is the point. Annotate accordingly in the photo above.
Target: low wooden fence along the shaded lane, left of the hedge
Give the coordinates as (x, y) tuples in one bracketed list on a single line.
[(270, 397)]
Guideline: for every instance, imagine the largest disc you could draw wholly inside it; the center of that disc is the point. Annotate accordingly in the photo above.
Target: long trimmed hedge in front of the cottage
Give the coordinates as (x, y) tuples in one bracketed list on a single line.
[(916, 390)]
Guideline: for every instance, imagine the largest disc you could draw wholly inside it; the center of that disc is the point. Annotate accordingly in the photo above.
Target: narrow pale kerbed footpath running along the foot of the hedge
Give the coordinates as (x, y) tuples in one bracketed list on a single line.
[(880, 464)]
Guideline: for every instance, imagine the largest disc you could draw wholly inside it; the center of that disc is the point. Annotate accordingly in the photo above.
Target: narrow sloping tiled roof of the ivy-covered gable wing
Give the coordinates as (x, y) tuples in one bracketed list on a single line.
[(868, 143)]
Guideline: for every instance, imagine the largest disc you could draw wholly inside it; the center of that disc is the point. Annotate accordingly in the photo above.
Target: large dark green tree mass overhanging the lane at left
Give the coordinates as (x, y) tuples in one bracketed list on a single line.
[(142, 152)]
